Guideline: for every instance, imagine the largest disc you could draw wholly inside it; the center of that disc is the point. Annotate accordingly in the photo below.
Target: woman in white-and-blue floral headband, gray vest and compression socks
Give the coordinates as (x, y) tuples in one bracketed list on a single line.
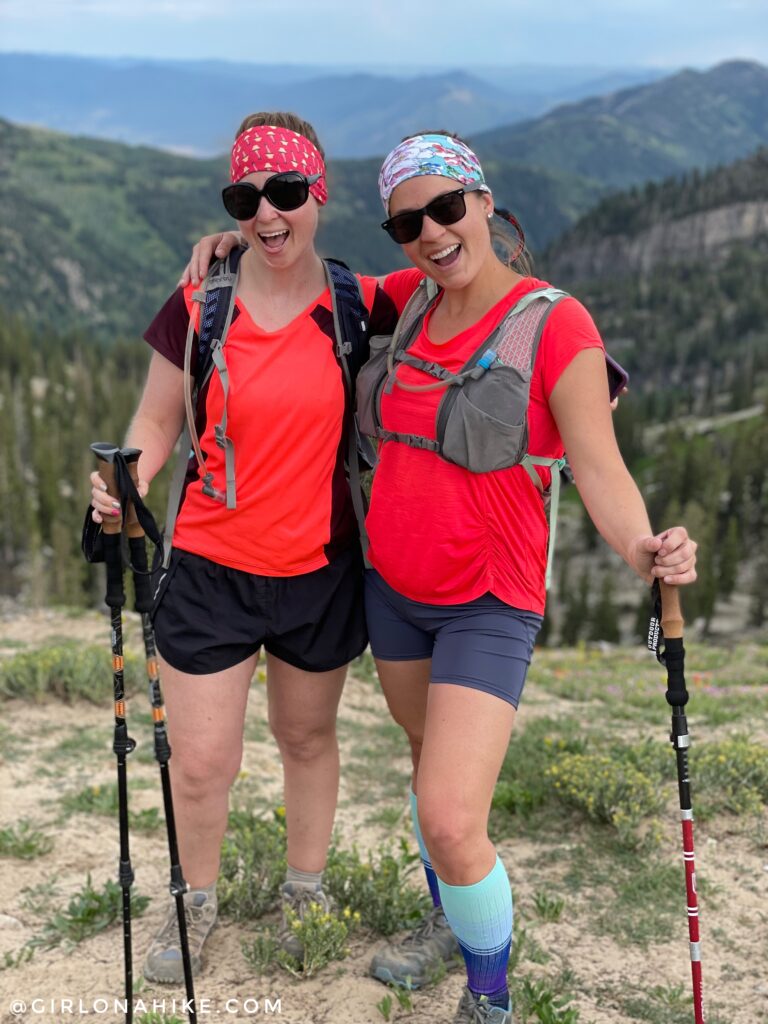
[(459, 535)]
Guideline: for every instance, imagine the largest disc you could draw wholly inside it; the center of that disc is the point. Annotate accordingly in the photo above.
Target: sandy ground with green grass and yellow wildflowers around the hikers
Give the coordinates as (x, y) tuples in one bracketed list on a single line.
[(585, 816)]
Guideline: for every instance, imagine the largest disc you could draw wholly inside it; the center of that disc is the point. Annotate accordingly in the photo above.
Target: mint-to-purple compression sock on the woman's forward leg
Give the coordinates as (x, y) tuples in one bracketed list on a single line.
[(481, 917)]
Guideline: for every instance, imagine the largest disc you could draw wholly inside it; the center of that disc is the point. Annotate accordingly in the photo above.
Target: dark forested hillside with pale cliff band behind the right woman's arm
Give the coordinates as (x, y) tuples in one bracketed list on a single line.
[(691, 324)]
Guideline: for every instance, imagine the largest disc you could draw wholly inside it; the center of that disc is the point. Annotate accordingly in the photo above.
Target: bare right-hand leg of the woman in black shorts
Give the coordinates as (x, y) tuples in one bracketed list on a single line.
[(303, 717)]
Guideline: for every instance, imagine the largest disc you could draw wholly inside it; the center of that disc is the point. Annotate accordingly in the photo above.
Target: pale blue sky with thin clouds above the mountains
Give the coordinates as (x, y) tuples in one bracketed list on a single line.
[(665, 34)]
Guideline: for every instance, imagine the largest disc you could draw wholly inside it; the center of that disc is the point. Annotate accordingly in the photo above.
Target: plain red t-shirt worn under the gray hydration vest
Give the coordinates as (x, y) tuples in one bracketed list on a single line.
[(440, 534)]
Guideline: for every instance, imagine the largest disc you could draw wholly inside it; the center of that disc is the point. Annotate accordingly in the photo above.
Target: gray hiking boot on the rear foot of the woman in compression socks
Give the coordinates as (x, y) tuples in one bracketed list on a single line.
[(421, 957)]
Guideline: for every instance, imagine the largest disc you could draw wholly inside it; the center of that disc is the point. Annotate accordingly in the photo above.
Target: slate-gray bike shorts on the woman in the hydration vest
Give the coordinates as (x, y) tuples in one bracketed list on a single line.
[(485, 645)]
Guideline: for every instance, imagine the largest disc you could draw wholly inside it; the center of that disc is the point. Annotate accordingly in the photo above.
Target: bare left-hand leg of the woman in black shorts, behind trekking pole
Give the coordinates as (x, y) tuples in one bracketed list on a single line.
[(206, 716)]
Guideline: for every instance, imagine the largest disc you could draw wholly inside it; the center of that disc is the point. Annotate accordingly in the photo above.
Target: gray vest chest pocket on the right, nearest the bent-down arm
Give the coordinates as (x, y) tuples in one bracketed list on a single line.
[(486, 421)]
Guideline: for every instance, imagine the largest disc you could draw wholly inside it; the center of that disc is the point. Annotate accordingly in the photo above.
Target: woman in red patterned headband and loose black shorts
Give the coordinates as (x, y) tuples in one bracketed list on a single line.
[(283, 569)]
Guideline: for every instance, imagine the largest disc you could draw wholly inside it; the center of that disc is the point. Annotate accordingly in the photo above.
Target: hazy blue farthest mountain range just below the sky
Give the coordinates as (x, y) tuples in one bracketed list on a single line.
[(196, 107)]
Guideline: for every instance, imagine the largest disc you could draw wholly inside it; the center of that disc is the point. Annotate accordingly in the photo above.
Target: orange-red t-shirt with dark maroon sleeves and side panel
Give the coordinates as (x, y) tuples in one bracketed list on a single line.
[(285, 415)]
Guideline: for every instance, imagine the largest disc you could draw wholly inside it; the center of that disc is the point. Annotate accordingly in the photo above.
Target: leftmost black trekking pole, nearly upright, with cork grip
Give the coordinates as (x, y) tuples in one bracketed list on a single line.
[(123, 745)]
